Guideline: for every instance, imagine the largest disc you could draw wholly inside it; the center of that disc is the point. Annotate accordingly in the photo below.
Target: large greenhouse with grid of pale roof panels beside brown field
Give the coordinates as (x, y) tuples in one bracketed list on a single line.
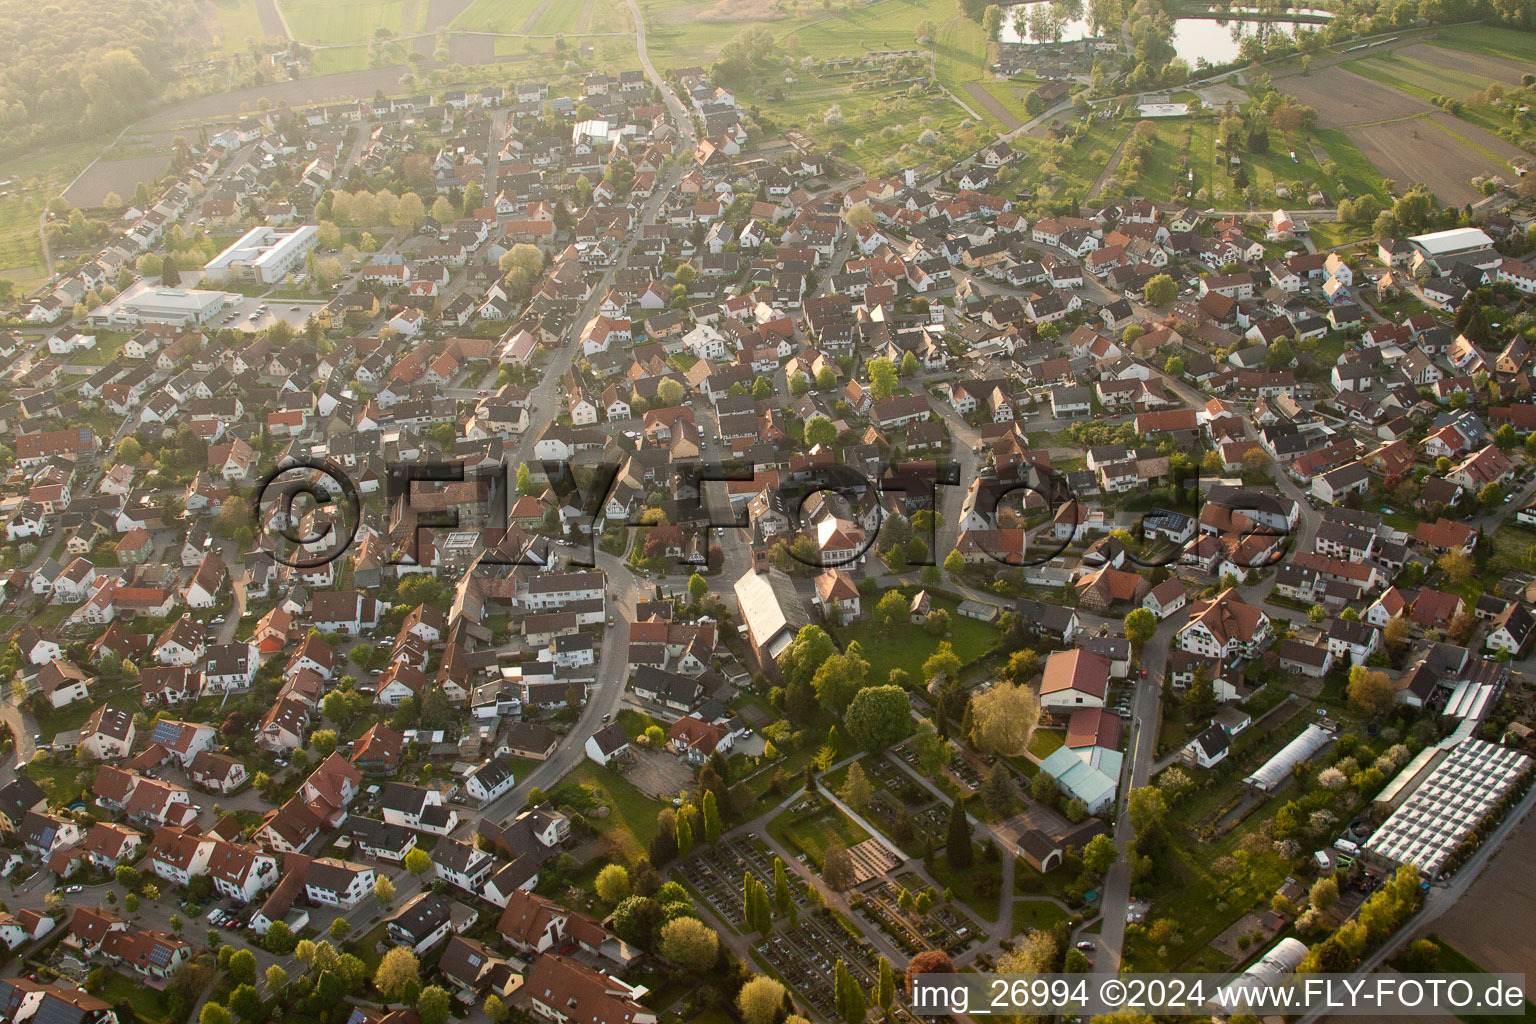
[(1452, 801)]
